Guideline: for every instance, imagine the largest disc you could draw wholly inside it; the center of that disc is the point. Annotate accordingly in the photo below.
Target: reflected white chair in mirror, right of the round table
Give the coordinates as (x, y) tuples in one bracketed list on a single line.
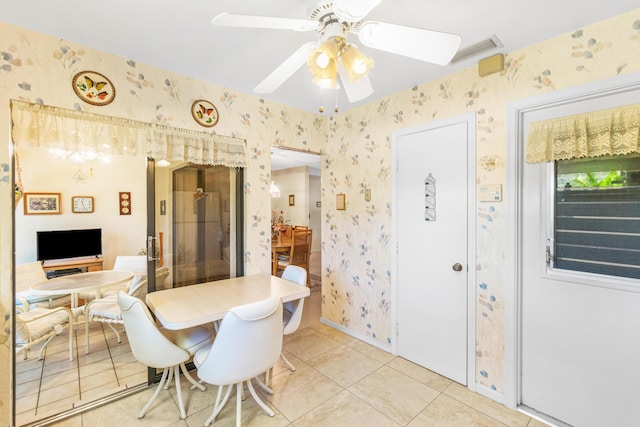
[(106, 310)]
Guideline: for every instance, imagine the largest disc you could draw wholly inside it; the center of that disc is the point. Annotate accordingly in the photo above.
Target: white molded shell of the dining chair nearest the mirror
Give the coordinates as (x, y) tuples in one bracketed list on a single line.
[(148, 345)]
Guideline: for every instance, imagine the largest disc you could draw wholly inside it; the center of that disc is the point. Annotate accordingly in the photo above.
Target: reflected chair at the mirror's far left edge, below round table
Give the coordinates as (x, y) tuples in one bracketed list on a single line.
[(39, 324)]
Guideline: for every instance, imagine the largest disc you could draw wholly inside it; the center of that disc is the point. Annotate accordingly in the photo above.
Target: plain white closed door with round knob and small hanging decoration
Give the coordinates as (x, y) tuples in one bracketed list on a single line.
[(432, 247)]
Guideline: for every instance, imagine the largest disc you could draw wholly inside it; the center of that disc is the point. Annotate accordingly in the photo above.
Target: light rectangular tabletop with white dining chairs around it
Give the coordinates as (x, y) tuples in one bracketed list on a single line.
[(187, 306)]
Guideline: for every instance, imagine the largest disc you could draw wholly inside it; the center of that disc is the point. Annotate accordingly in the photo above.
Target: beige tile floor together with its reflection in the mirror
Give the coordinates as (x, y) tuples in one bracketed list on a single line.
[(339, 381)]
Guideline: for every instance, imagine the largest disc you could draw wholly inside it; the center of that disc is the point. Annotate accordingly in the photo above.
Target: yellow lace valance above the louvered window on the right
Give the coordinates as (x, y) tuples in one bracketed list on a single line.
[(599, 133)]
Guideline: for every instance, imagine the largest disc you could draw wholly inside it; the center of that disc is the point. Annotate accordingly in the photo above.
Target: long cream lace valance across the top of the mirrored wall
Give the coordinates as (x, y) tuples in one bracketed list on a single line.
[(58, 128)]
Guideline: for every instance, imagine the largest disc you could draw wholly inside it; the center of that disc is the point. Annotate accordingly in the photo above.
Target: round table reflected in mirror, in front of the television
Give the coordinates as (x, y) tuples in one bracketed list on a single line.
[(75, 284)]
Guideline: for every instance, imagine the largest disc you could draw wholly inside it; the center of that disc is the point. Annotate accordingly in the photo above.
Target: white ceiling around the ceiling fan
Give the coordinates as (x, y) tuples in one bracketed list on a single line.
[(177, 36)]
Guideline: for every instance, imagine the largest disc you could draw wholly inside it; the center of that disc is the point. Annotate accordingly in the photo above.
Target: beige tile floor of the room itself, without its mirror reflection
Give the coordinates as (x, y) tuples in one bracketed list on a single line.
[(339, 381)]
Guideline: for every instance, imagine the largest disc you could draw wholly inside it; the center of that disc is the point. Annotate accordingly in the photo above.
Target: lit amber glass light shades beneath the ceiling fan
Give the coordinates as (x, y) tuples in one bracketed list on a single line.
[(323, 62)]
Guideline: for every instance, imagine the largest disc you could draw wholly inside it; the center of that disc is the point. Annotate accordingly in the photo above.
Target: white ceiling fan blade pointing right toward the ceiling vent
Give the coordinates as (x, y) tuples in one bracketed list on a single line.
[(425, 45)]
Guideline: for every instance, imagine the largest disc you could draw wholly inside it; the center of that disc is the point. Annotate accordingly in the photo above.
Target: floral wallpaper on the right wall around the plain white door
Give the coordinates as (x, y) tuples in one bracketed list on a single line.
[(357, 259)]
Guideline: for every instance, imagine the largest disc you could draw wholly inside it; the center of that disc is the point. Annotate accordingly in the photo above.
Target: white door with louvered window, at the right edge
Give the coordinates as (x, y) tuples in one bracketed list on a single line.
[(580, 343)]
